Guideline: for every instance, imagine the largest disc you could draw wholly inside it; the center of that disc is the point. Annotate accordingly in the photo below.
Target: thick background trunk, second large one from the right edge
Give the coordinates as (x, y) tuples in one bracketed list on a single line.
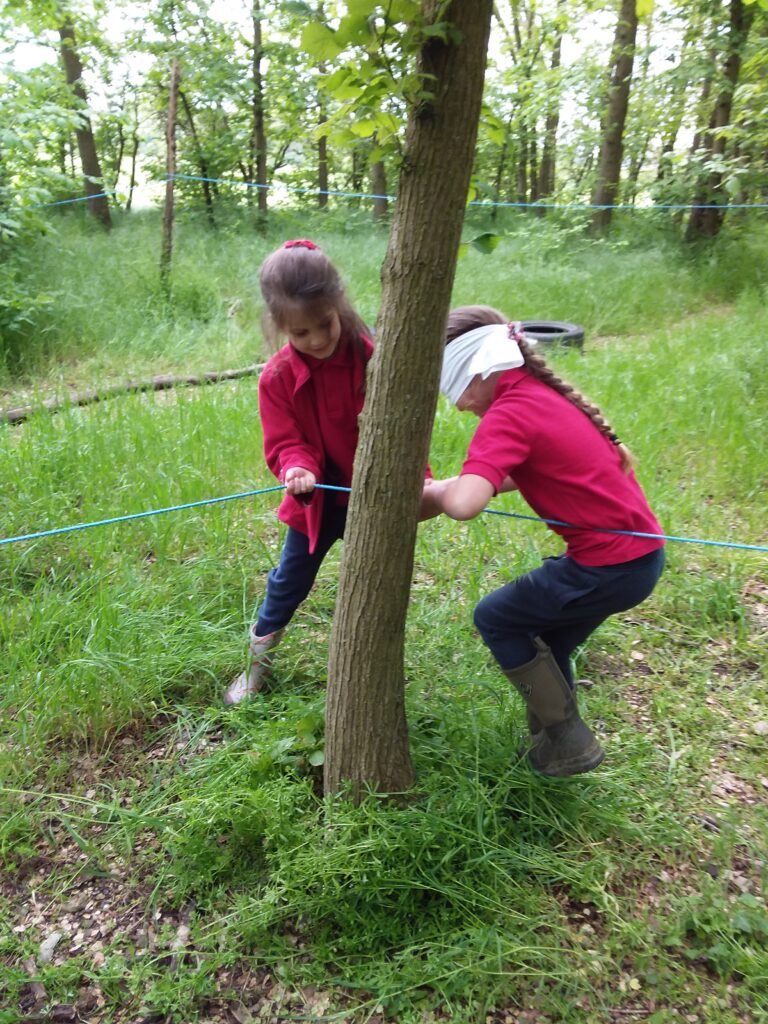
[(612, 147)]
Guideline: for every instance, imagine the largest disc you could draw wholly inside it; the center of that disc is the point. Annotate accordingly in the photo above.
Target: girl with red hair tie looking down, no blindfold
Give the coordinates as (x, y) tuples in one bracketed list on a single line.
[(311, 396)]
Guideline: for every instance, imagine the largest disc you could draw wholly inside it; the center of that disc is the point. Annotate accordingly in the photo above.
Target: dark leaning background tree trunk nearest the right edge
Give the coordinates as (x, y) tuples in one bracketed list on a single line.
[(706, 221)]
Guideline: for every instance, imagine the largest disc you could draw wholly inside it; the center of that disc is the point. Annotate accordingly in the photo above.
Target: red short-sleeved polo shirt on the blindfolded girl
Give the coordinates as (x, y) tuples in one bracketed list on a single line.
[(565, 468)]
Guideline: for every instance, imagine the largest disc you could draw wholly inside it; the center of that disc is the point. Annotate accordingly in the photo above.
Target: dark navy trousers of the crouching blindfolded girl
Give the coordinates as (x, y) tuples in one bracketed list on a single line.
[(563, 603)]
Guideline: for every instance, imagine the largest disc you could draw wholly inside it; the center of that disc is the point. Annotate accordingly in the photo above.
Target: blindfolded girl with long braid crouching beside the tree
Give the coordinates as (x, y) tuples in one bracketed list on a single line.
[(541, 437)]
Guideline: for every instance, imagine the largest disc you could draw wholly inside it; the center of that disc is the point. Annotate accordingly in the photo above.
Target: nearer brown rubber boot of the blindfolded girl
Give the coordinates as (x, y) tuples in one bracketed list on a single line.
[(566, 746)]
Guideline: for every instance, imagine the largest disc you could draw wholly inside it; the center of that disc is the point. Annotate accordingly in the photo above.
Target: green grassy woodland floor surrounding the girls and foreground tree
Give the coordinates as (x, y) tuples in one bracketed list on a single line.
[(182, 849)]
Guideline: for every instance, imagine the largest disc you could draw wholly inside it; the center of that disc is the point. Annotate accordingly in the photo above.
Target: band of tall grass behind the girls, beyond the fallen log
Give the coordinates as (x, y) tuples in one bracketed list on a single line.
[(109, 317)]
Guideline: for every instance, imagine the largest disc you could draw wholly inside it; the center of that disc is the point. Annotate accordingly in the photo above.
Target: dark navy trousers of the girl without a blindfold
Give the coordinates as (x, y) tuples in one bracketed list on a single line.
[(290, 582)]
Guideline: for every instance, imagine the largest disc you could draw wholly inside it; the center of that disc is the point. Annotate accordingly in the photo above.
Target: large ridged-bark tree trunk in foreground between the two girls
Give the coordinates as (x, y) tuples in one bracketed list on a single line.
[(367, 732)]
